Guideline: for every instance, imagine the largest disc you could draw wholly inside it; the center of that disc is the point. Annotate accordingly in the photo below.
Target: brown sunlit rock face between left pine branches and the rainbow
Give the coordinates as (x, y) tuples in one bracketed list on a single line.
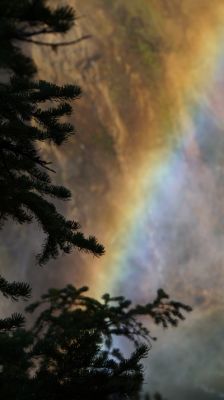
[(119, 69)]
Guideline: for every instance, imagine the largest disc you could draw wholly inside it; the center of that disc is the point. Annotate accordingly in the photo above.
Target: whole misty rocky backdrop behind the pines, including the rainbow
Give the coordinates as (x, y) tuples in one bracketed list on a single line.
[(146, 165)]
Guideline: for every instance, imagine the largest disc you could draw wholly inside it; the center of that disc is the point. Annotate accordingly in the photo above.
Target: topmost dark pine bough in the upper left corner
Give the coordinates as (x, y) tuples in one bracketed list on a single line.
[(20, 22)]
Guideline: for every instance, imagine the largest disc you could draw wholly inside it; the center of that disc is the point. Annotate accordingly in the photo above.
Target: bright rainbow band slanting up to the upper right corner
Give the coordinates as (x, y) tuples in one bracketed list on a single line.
[(194, 78)]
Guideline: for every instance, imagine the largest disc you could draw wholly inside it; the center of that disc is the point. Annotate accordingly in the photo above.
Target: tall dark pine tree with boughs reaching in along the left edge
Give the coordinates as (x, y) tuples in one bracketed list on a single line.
[(32, 112)]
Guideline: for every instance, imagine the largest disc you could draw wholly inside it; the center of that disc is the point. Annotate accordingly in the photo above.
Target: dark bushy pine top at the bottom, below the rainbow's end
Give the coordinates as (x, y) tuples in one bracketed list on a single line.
[(68, 354)]
